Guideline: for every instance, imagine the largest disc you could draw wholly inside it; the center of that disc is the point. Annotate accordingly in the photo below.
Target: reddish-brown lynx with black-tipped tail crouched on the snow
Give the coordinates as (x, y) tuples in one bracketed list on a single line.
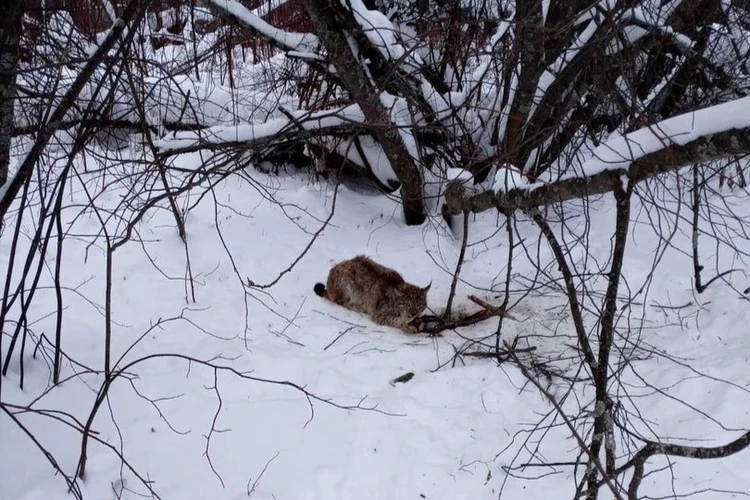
[(363, 285)]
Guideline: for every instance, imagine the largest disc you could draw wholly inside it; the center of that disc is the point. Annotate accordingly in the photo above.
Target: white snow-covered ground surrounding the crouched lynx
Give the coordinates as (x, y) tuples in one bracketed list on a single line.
[(446, 434)]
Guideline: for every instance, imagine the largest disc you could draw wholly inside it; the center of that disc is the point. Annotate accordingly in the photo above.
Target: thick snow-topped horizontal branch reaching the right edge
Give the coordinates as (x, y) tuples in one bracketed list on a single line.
[(709, 134)]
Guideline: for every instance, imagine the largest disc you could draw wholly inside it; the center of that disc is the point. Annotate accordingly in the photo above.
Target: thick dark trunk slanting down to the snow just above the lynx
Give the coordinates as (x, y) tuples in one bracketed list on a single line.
[(330, 29)]
